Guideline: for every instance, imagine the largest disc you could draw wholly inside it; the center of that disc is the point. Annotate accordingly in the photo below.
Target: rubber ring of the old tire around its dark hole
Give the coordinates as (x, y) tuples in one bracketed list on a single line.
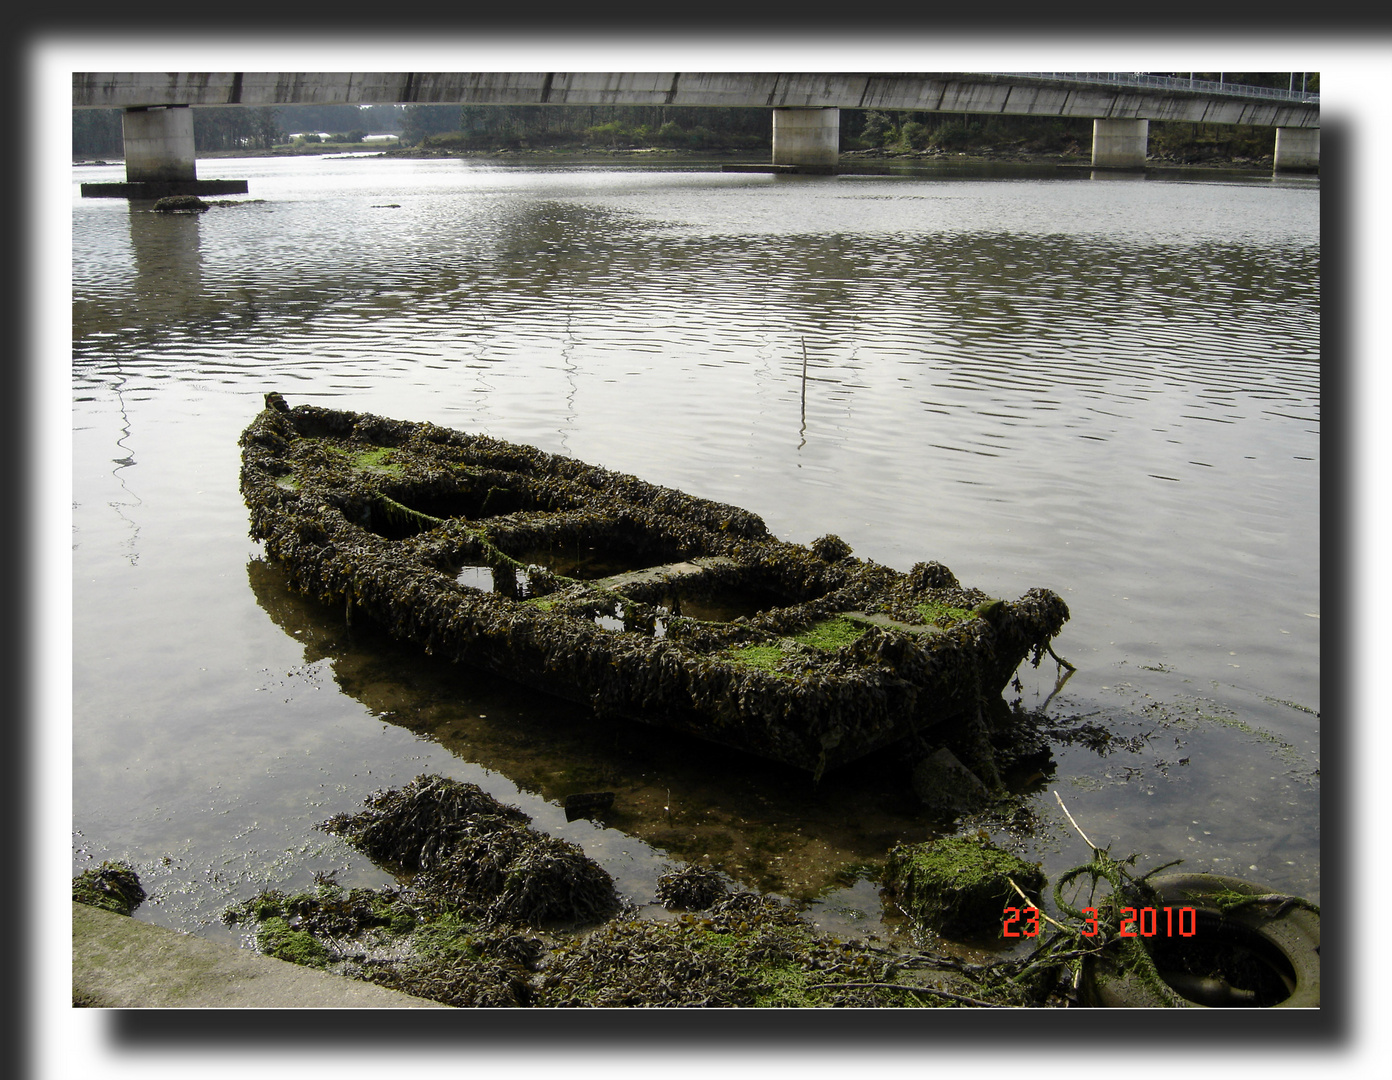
[(1294, 935)]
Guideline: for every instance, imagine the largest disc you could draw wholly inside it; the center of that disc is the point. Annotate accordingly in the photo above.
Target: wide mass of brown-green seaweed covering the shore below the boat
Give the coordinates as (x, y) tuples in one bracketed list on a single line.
[(495, 914)]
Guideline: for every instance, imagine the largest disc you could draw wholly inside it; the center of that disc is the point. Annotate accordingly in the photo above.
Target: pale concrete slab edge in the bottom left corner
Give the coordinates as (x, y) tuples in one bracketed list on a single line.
[(123, 964)]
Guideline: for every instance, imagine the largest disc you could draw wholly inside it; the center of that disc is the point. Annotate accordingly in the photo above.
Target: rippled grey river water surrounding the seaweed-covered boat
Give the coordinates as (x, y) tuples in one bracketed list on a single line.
[(1106, 386)]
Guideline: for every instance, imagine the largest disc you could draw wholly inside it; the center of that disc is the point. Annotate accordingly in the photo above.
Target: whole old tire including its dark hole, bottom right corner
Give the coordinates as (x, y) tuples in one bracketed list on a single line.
[(1251, 958)]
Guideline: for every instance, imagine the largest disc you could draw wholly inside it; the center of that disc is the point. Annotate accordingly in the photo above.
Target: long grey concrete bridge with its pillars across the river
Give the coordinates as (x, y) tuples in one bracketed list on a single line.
[(807, 108)]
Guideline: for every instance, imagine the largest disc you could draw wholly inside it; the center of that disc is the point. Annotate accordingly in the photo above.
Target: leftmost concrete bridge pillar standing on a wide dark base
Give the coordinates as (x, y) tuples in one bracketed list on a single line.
[(161, 158)]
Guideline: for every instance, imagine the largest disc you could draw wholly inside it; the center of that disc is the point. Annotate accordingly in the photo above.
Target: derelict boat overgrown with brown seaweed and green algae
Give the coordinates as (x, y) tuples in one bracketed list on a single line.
[(635, 599)]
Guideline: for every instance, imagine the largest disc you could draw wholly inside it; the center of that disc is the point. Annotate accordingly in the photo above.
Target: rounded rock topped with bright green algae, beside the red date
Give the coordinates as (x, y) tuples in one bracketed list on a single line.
[(960, 886)]
